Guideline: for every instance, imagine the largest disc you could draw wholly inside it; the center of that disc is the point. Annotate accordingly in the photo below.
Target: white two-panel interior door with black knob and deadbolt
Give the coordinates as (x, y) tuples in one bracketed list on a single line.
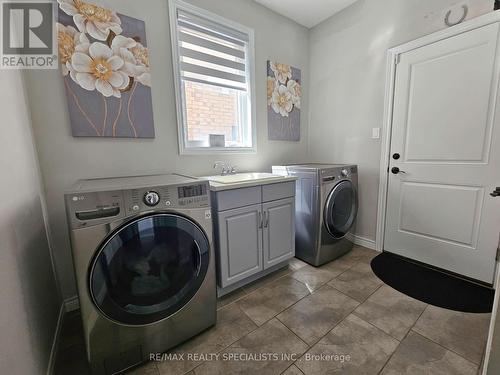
[(446, 130)]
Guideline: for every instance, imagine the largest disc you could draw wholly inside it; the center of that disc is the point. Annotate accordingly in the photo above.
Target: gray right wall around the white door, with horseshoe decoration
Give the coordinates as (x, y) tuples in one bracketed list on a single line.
[(347, 80)]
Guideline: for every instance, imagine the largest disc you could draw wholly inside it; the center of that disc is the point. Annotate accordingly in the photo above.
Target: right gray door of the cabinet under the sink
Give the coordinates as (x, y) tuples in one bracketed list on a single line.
[(279, 231)]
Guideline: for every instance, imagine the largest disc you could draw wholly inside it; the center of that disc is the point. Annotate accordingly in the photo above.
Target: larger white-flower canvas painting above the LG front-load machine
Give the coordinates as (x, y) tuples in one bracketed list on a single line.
[(105, 66)]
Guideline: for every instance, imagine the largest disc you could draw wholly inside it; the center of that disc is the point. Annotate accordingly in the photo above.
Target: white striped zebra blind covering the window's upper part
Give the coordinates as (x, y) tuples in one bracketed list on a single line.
[(212, 53)]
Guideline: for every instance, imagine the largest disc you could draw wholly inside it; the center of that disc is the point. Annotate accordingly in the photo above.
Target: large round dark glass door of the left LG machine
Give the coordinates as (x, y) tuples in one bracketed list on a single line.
[(149, 268)]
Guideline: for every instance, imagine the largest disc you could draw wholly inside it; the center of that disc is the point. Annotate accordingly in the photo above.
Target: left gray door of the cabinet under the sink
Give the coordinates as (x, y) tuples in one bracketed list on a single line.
[(240, 243)]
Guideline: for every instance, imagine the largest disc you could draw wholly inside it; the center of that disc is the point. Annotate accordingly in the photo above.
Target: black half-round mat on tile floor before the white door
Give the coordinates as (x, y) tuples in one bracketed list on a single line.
[(431, 286)]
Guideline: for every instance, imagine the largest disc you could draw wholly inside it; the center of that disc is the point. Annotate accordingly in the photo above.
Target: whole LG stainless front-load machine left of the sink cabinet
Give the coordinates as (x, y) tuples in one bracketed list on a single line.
[(144, 263)]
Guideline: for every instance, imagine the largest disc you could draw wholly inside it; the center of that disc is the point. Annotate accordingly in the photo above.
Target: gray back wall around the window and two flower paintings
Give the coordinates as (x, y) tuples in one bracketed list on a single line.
[(65, 159)]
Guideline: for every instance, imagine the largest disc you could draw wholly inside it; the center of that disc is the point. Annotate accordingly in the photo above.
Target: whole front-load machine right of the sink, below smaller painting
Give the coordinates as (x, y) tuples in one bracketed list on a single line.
[(326, 208)]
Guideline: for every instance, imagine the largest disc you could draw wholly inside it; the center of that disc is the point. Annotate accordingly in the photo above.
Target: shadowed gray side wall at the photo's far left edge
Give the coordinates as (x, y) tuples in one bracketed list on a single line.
[(28, 291)]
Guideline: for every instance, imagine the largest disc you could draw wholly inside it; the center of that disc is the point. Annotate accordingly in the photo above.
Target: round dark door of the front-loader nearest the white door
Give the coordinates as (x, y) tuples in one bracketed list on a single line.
[(341, 209)]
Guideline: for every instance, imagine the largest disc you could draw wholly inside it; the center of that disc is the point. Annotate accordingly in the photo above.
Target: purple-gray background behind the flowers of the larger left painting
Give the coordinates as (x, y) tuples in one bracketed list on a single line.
[(113, 123)]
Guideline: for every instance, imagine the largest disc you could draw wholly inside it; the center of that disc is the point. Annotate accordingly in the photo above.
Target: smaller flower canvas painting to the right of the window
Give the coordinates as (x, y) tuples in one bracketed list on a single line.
[(284, 92)]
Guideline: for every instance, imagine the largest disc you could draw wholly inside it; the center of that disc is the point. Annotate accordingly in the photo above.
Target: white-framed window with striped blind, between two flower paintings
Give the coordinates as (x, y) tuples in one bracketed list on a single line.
[(213, 69)]
